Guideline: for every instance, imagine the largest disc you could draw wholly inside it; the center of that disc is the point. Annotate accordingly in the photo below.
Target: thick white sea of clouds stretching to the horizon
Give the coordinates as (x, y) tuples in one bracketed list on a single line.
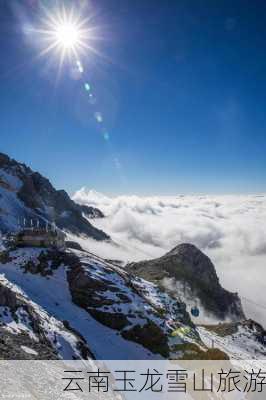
[(231, 230)]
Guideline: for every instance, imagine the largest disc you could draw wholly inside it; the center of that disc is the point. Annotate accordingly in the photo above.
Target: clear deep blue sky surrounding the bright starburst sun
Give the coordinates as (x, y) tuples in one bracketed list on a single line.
[(181, 87)]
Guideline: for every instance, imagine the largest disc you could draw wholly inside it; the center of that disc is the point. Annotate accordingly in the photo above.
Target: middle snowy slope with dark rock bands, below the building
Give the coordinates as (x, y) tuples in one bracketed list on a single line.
[(118, 317)]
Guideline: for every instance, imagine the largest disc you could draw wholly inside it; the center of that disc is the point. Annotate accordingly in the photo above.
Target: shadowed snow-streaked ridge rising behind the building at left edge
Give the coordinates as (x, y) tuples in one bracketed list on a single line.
[(27, 194)]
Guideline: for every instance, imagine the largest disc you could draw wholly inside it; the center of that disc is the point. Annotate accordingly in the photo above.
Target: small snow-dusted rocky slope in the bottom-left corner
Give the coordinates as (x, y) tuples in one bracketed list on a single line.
[(27, 329)]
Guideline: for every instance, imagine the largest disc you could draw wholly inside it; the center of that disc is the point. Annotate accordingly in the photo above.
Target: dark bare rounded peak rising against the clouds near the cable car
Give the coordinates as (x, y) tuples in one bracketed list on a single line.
[(188, 266)]
